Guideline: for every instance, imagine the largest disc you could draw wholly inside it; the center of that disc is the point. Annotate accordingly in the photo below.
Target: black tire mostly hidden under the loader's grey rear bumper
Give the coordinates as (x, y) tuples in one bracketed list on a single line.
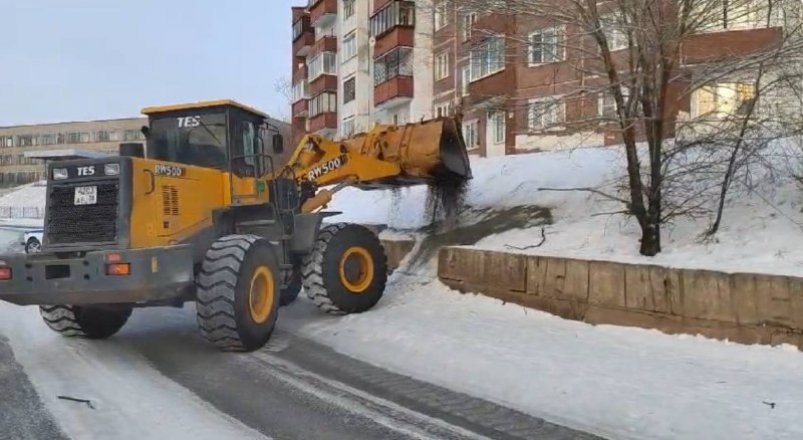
[(85, 322)]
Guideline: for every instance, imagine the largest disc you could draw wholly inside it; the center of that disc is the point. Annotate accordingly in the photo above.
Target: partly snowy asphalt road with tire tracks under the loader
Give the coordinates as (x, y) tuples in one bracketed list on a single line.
[(158, 378)]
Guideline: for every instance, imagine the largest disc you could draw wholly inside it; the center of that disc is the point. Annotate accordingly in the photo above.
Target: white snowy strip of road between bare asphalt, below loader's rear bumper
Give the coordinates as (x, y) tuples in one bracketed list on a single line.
[(131, 399)]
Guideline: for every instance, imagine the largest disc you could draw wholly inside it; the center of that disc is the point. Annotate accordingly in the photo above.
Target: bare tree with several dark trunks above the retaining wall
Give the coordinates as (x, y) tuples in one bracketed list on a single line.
[(645, 56)]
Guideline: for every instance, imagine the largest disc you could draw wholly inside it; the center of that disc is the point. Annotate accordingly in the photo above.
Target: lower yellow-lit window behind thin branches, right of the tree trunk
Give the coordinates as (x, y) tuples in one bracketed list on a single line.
[(723, 99)]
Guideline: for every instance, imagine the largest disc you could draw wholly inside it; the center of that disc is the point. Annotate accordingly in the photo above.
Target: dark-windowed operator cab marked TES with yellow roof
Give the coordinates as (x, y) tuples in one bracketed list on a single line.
[(223, 135)]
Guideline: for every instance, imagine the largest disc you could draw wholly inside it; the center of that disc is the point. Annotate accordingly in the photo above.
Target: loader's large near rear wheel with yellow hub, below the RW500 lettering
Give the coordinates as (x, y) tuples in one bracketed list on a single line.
[(223, 298)]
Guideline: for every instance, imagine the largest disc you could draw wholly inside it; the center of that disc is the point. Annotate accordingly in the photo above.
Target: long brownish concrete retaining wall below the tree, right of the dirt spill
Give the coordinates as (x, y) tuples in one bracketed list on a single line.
[(742, 307)]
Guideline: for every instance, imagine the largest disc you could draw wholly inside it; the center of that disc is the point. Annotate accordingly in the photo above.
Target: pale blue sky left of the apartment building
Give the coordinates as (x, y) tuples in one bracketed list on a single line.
[(72, 60)]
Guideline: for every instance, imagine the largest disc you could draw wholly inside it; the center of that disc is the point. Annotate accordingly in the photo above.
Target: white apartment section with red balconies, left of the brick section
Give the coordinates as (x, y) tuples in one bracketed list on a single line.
[(357, 63)]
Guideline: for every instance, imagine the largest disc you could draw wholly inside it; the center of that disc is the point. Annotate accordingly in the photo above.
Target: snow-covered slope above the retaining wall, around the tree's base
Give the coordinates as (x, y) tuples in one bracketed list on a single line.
[(761, 231)]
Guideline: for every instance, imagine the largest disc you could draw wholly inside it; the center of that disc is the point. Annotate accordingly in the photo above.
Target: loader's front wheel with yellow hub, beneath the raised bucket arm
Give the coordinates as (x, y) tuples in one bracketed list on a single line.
[(323, 275)]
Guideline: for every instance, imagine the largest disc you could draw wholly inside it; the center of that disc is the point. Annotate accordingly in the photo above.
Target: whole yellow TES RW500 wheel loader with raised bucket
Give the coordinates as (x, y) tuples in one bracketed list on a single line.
[(207, 212)]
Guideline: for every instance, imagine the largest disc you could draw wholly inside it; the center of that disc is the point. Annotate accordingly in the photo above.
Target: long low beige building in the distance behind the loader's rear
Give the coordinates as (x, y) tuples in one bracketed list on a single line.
[(101, 136)]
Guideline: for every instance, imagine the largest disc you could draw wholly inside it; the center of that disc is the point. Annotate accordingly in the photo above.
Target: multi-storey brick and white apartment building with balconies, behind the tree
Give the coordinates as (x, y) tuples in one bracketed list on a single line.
[(505, 75)]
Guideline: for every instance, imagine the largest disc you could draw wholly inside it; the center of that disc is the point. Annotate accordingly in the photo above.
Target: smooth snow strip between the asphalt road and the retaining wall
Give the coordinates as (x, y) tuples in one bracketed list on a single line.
[(612, 381)]
